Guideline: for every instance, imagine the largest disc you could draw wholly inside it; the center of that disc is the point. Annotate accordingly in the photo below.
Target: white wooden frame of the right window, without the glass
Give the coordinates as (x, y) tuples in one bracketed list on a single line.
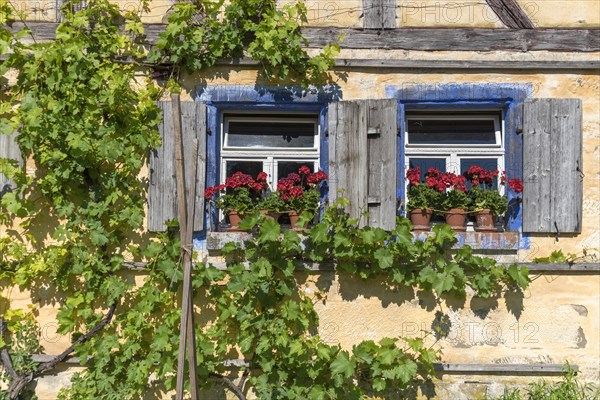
[(454, 153)]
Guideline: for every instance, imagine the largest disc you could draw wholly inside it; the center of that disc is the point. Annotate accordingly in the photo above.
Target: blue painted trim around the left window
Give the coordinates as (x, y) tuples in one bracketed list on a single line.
[(222, 98)]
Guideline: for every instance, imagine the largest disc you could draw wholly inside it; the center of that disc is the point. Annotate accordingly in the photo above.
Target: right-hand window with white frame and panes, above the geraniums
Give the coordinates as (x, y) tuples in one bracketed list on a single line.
[(453, 142)]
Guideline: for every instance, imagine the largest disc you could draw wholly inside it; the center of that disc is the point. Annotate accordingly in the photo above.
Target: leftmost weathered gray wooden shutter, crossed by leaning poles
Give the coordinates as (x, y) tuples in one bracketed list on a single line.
[(162, 192)]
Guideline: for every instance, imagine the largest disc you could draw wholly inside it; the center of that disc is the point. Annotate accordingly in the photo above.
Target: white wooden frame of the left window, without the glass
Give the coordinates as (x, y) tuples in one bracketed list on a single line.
[(269, 156)]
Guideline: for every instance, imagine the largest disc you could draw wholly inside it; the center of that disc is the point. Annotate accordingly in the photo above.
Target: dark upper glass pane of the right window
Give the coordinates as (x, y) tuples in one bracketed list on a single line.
[(448, 131)]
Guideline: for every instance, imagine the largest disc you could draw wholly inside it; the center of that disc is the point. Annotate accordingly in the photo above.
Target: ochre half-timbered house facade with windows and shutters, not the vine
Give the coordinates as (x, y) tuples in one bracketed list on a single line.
[(522, 75)]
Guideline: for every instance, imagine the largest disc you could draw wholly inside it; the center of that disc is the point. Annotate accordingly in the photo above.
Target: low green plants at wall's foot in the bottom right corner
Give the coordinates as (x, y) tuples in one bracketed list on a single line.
[(568, 388)]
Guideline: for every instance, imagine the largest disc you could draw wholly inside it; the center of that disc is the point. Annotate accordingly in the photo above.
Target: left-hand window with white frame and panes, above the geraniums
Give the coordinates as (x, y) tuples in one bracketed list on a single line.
[(276, 143)]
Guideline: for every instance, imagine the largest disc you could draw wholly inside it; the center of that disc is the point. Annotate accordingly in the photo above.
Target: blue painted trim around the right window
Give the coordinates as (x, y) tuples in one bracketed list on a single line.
[(505, 97)]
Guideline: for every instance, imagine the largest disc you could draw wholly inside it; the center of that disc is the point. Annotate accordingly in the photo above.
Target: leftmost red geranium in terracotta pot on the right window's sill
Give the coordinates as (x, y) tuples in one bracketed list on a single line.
[(421, 200)]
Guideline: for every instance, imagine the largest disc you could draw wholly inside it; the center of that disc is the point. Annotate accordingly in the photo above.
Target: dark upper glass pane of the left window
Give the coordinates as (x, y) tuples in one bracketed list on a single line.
[(271, 134)]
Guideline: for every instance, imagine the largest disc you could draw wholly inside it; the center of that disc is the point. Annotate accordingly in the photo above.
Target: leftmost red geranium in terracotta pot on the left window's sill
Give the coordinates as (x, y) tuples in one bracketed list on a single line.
[(238, 196)]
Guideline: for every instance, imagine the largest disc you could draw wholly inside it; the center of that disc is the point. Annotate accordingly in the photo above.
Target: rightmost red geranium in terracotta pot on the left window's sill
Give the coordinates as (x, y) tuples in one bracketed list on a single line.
[(300, 192)]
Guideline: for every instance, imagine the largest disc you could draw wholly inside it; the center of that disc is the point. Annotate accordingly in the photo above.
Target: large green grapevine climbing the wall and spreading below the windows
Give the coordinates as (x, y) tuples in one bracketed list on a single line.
[(85, 109)]
